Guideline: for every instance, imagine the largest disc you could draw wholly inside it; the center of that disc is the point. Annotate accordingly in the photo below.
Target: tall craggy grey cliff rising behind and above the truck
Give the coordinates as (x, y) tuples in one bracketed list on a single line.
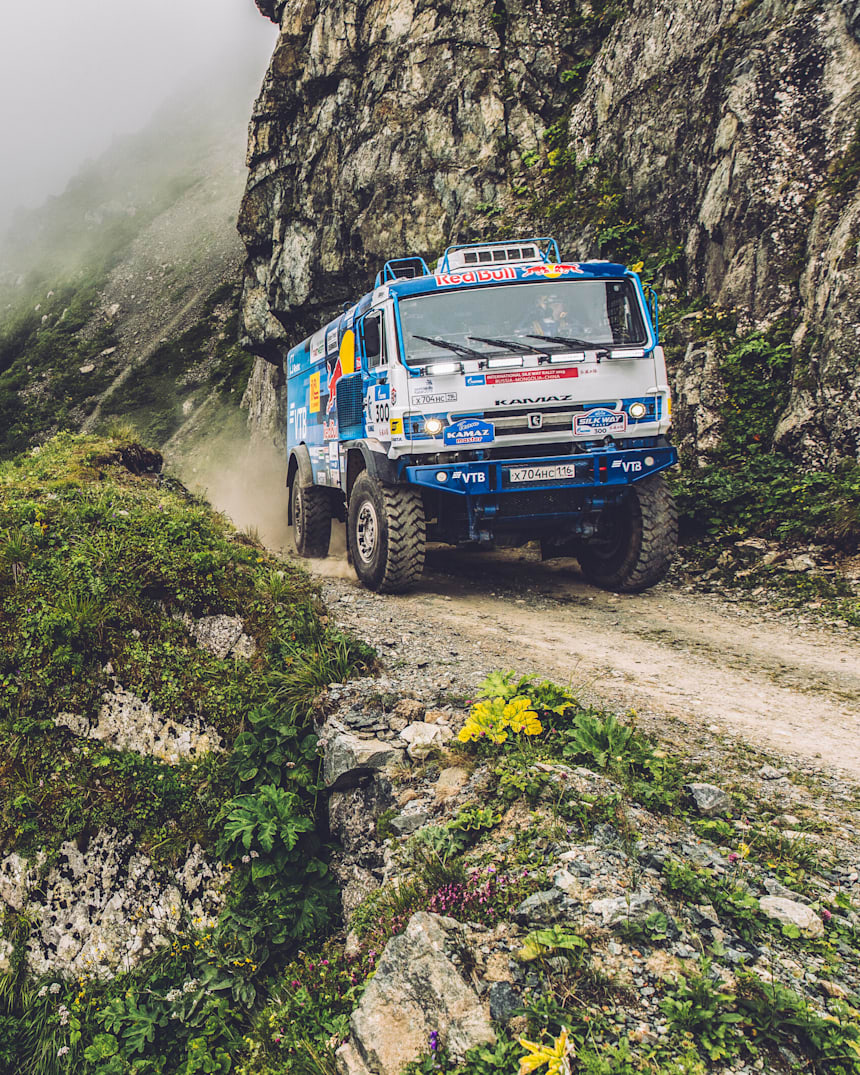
[(727, 130)]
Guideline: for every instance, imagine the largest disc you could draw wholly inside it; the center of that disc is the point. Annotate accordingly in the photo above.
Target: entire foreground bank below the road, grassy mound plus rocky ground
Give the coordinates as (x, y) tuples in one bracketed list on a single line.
[(193, 771)]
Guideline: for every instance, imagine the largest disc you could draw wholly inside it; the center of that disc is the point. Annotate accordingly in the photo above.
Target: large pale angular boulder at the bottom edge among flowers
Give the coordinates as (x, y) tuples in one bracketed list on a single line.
[(419, 988)]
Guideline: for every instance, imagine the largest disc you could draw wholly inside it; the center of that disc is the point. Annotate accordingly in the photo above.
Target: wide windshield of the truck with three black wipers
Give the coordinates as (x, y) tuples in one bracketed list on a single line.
[(520, 318)]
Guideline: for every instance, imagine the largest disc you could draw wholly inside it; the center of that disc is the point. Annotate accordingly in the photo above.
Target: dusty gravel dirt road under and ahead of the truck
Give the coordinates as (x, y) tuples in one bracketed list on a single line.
[(703, 663)]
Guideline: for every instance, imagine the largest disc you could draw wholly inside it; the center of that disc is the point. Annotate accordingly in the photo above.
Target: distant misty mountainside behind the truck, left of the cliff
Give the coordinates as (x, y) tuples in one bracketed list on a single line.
[(120, 297)]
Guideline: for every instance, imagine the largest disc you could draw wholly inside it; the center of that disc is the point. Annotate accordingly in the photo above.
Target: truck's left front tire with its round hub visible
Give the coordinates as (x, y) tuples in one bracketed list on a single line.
[(386, 534)]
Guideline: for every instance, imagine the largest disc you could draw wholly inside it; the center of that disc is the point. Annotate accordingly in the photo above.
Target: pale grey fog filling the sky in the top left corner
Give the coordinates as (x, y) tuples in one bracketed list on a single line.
[(76, 74)]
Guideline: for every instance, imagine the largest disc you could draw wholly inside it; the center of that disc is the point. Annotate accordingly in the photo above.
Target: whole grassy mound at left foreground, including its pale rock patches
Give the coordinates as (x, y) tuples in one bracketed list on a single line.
[(156, 673)]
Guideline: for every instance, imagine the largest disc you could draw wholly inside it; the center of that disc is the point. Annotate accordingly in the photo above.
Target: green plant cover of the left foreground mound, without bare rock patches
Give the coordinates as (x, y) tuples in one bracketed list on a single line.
[(98, 558)]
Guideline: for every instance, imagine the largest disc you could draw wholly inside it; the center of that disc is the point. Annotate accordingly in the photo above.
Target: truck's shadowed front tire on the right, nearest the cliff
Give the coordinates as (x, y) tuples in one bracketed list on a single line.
[(637, 541)]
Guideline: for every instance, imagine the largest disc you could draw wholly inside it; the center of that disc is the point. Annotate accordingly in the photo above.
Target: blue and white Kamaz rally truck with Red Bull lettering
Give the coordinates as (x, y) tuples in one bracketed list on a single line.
[(506, 397)]
